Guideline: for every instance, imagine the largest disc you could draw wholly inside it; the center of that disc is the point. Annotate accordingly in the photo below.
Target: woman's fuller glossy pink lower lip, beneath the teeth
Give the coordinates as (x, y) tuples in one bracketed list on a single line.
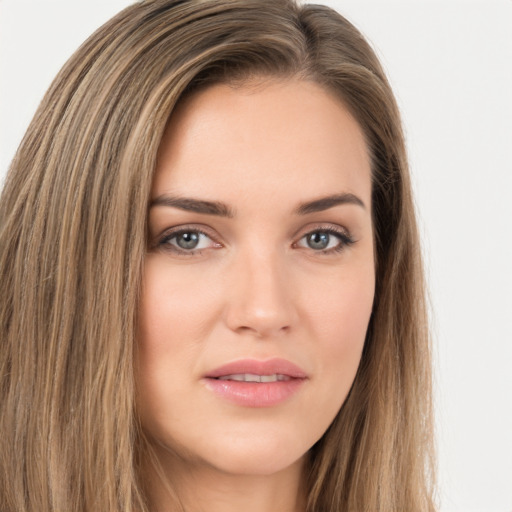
[(254, 394)]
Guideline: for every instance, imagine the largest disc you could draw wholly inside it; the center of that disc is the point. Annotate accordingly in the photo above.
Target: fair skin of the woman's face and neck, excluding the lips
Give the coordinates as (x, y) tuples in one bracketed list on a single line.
[(255, 288)]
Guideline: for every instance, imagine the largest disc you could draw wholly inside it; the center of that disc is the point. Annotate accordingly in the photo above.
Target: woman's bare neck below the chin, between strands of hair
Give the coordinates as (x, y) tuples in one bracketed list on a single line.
[(179, 486)]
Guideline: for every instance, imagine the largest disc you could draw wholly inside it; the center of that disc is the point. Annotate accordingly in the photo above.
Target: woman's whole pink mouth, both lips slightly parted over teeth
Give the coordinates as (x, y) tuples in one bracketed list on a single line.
[(253, 383)]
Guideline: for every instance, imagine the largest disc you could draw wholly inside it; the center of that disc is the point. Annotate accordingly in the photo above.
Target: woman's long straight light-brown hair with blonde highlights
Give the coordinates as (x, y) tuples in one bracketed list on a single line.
[(73, 233)]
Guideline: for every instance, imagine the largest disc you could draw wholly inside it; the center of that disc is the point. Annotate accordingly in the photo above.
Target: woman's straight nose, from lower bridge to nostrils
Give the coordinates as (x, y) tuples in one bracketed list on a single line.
[(260, 298)]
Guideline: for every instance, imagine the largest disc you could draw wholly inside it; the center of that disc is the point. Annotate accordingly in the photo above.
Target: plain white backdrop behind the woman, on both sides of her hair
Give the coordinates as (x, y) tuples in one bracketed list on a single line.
[(450, 63)]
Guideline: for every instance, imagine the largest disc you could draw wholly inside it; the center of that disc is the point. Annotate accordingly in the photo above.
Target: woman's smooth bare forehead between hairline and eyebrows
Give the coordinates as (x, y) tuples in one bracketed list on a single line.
[(267, 139)]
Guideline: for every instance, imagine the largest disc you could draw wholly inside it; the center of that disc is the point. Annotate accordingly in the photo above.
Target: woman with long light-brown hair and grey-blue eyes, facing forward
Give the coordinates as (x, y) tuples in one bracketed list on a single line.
[(211, 279)]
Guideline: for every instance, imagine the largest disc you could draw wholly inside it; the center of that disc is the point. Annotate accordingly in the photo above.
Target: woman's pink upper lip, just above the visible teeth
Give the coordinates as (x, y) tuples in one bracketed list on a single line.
[(256, 367)]
